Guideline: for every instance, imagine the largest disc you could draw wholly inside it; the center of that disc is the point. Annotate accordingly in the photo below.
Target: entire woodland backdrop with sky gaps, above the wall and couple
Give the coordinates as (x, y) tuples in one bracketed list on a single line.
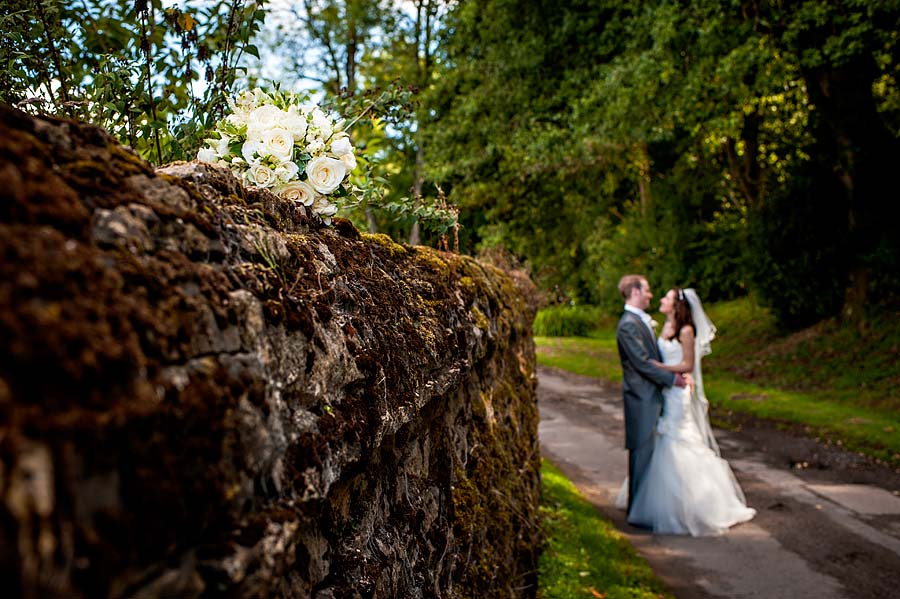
[(743, 148)]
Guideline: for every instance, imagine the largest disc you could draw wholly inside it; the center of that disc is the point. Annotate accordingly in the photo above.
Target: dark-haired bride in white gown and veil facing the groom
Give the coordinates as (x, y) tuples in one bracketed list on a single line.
[(688, 488)]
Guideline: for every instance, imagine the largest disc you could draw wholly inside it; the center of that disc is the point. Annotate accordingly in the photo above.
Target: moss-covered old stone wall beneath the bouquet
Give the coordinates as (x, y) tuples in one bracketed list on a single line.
[(204, 392)]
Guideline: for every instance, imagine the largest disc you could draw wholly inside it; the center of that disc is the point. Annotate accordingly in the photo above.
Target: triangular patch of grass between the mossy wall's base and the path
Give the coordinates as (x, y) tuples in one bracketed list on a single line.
[(584, 556)]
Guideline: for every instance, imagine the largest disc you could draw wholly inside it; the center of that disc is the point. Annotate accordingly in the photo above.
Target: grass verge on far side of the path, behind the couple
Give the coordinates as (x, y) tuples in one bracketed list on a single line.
[(831, 380)]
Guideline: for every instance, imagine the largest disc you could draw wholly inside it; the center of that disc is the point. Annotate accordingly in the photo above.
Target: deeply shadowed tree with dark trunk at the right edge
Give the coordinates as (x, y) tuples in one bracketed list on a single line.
[(838, 46)]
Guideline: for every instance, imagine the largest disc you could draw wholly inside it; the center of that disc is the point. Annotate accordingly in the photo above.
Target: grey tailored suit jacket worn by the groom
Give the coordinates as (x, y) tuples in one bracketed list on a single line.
[(642, 382)]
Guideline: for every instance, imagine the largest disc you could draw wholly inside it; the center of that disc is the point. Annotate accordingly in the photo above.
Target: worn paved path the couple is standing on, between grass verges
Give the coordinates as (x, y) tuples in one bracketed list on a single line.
[(819, 532)]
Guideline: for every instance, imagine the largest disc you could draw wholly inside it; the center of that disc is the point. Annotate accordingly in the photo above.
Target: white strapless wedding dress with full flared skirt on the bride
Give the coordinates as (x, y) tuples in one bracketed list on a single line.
[(688, 488)]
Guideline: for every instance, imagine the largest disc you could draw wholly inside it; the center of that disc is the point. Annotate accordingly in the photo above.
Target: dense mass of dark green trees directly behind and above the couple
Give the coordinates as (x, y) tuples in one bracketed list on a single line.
[(594, 139)]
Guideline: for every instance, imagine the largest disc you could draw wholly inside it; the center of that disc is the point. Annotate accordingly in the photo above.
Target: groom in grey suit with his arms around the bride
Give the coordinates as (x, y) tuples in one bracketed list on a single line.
[(642, 382)]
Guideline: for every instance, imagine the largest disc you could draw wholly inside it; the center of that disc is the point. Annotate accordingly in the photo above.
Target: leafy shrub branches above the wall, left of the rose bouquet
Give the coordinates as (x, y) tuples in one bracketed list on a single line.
[(133, 68)]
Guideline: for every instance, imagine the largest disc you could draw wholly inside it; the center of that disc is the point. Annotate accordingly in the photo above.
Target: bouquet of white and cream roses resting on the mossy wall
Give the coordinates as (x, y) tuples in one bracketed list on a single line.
[(281, 142)]
